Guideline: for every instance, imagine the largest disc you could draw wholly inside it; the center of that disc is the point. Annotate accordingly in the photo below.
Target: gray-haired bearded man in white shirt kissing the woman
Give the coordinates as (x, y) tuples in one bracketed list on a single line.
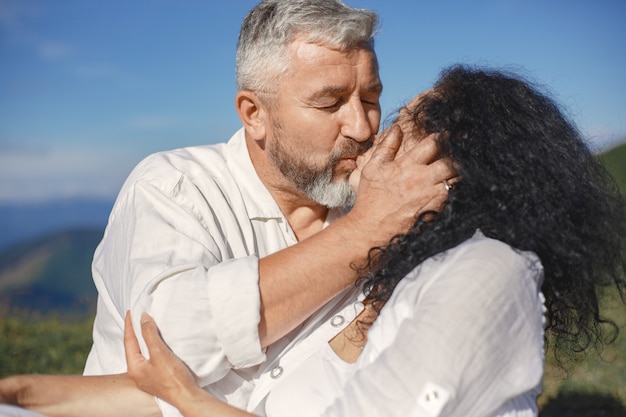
[(247, 244)]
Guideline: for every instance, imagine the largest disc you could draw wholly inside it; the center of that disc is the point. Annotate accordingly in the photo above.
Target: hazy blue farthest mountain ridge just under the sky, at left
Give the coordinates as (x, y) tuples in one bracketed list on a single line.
[(20, 222)]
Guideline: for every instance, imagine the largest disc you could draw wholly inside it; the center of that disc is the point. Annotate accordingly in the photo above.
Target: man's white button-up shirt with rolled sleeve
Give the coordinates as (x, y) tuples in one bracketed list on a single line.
[(182, 243)]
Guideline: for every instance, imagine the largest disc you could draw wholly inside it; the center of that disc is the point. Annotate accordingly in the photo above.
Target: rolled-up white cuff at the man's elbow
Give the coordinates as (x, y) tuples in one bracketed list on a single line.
[(235, 305)]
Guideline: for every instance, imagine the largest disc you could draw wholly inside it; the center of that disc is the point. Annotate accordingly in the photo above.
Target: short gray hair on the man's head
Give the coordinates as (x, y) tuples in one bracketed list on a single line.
[(272, 25)]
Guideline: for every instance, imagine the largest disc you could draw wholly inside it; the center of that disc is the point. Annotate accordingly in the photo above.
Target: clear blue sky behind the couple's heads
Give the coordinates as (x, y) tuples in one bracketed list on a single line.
[(88, 88)]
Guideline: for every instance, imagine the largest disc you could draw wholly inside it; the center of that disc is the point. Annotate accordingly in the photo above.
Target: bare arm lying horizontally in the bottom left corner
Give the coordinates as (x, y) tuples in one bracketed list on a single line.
[(78, 396)]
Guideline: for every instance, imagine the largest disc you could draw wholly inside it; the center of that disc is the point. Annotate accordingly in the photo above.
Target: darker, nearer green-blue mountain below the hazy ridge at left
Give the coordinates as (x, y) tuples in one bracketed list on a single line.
[(50, 274)]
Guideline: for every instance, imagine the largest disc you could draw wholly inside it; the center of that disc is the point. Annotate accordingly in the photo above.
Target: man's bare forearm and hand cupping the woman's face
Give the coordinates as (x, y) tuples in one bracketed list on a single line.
[(393, 190)]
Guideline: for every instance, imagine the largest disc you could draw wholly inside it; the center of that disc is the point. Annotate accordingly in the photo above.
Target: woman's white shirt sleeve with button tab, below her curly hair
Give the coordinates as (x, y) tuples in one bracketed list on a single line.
[(471, 344)]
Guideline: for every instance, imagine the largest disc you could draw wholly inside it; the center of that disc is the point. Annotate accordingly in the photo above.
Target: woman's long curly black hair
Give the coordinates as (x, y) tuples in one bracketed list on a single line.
[(527, 179)]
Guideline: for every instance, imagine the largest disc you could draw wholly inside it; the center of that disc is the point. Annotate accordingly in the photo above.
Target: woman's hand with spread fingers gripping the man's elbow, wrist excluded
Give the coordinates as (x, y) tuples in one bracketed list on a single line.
[(163, 375)]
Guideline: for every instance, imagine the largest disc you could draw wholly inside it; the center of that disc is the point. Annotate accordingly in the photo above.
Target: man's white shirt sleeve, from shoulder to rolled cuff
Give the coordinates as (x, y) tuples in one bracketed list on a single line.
[(175, 255)]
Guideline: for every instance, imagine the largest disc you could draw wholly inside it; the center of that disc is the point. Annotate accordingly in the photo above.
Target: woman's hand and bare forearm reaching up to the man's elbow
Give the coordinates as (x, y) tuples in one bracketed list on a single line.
[(165, 376)]
